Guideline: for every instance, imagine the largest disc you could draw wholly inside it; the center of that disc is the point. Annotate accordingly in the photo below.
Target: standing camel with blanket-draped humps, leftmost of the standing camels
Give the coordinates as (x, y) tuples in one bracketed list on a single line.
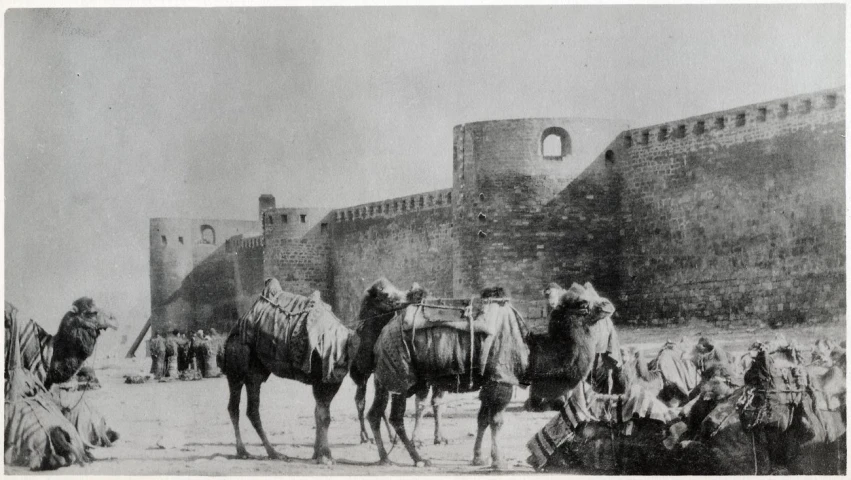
[(296, 338)]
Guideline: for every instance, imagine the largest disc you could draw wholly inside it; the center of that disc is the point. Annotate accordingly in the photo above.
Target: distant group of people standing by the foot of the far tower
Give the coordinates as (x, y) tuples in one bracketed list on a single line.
[(177, 355)]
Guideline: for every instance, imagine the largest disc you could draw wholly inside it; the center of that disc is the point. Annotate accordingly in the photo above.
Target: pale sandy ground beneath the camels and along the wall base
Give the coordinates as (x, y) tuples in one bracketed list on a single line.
[(182, 428)]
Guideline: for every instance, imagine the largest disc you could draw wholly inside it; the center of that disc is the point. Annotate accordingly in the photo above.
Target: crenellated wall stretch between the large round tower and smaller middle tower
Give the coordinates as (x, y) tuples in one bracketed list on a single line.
[(404, 239)]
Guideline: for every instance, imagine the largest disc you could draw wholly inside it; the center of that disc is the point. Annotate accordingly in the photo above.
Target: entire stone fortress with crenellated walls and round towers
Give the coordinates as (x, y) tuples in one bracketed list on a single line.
[(734, 217)]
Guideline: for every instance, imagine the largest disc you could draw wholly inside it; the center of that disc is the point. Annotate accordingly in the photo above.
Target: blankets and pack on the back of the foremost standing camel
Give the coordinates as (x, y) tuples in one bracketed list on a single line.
[(403, 357)]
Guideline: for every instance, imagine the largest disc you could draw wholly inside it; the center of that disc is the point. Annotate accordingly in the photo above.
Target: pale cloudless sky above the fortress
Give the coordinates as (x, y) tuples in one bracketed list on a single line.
[(116, 116)]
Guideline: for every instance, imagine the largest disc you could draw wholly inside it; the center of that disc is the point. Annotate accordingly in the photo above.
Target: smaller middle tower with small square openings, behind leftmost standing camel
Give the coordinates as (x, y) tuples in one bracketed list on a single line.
[(297, 249)]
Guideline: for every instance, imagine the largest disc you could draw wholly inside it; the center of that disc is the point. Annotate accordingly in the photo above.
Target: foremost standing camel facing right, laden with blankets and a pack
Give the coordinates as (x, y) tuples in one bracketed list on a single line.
[(501, 359)]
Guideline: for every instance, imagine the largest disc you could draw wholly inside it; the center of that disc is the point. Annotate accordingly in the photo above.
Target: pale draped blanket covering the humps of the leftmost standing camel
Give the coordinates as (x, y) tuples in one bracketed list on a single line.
[(285, 329)]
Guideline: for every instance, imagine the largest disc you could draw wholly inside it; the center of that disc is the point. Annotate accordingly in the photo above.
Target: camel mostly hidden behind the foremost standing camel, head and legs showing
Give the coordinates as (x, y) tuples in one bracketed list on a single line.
[(381, 302)]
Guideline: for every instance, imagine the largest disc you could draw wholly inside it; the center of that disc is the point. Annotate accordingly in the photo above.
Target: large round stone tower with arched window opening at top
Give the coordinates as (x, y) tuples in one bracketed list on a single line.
[(535, 201)]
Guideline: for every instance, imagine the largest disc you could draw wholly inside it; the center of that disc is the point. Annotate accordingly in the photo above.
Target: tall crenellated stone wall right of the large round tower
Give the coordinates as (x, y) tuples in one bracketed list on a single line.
[(737, 216)]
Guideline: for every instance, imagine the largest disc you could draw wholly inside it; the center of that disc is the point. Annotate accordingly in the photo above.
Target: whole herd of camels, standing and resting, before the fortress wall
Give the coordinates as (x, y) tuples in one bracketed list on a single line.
[(693, 409)]
